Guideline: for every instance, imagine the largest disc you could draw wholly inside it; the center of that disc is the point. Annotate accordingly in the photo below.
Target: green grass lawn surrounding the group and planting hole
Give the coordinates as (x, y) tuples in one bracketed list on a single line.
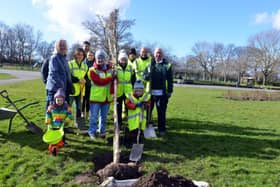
[(227, 143)]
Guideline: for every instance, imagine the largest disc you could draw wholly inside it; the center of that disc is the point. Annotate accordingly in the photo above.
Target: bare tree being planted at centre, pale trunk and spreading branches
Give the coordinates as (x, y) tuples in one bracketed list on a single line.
[(111, 33)]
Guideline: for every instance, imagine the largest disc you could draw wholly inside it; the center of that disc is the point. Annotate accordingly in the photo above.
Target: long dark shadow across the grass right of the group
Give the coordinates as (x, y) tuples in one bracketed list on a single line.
[(192, 139)]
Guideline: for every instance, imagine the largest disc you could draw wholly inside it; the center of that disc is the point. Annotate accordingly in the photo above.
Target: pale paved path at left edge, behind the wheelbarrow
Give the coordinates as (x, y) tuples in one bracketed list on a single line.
[(19, 75)]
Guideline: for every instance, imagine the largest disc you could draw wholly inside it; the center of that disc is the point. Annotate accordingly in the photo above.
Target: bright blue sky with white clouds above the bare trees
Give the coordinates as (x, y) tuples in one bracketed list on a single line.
[(176, 24)]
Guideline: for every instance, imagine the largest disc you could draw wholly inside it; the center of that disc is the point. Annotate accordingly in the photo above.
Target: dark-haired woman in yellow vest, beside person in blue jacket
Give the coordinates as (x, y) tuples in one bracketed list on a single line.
[(78, 71)]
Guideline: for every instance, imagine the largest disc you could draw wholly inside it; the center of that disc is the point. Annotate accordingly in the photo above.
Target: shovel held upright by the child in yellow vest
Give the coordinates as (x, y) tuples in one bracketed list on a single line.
[(137, 149)]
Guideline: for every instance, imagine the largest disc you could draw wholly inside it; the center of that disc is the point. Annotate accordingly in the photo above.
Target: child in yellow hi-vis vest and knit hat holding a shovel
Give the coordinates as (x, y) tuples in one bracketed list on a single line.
[(136, 103)]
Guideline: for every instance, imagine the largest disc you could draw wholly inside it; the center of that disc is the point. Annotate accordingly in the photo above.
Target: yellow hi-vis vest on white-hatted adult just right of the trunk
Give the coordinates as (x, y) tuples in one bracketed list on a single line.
[(124, 80)]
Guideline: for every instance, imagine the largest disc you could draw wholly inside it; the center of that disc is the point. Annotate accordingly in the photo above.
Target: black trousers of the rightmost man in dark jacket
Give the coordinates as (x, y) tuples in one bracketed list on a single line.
[(161, 104)]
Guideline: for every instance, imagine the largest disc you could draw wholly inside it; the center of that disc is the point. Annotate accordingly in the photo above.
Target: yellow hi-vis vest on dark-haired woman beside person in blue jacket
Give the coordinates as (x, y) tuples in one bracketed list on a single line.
[(78, 71)]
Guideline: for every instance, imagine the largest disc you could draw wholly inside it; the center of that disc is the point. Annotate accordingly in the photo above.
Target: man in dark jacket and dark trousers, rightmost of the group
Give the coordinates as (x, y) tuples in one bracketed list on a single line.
[(159, 72)]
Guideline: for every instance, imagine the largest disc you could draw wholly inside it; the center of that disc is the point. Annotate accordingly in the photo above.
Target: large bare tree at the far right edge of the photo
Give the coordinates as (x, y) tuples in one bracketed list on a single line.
[(265, 48)]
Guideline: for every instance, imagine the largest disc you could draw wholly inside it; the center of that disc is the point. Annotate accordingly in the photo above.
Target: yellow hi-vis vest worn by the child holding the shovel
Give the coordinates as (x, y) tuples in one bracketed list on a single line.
[(134, 115)]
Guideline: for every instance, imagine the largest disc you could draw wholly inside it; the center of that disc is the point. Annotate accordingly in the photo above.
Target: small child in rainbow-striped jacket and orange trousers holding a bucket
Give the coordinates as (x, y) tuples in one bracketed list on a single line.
[(58, 114)]
